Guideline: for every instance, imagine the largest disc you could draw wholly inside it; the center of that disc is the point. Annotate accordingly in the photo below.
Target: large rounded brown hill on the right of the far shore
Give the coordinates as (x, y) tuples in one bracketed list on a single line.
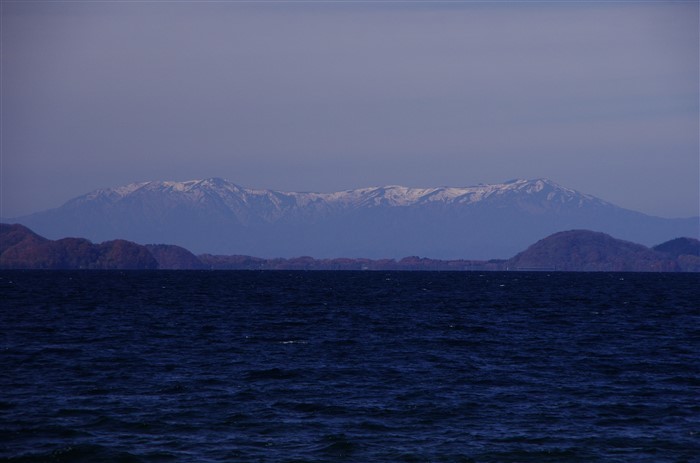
[(584, 250)]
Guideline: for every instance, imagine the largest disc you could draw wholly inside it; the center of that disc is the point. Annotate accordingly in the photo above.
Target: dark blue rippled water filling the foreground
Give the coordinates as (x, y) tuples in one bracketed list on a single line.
[(349, 366)]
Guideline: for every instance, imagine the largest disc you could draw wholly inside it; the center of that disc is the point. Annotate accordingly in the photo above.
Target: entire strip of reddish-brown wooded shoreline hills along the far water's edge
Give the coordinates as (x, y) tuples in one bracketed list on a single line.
[(575, 250)]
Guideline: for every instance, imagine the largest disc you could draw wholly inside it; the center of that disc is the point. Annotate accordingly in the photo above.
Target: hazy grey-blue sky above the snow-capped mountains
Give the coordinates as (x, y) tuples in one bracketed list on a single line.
[(602, 97)]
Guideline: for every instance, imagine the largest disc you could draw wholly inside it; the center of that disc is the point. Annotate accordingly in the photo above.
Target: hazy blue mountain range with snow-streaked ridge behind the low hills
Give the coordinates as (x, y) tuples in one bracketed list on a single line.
[(219, 217)]
